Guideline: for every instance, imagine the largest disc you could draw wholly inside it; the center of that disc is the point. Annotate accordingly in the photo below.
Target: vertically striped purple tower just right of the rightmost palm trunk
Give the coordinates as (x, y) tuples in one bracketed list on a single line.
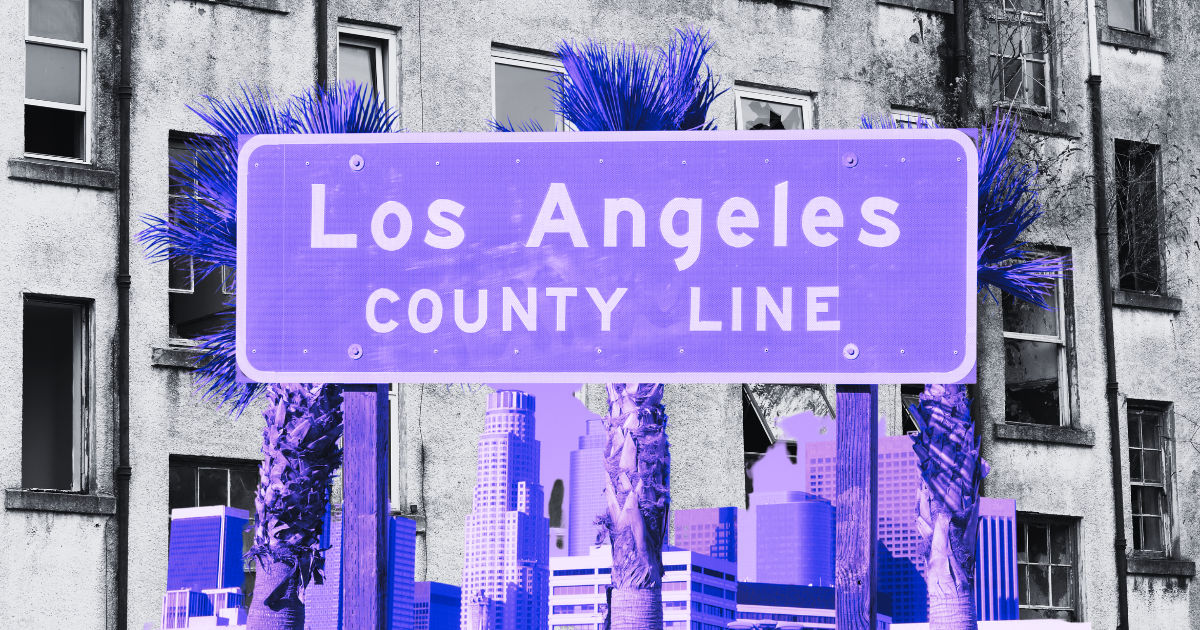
[(997, 561)]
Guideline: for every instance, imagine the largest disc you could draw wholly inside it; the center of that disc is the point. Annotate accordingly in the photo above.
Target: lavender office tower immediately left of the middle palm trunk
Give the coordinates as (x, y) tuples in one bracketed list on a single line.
[(586, 490)]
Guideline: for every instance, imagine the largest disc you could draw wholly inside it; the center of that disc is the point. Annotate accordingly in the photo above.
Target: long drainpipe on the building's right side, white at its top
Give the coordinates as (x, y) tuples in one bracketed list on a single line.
[(1111, 359)]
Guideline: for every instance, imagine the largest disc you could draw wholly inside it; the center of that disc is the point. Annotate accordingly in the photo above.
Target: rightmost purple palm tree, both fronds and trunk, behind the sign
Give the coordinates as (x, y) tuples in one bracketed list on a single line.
[(947, 446)]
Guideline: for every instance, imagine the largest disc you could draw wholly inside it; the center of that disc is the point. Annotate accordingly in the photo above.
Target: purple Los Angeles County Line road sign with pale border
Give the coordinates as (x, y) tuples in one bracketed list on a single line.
[(722, 257)]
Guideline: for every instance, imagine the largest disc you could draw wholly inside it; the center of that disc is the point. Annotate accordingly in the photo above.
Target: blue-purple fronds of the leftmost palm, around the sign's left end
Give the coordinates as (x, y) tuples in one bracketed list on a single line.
[(202, 221)]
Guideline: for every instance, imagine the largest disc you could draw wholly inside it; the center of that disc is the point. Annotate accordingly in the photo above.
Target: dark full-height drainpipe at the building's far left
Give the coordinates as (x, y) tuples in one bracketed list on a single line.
[(124, 472)]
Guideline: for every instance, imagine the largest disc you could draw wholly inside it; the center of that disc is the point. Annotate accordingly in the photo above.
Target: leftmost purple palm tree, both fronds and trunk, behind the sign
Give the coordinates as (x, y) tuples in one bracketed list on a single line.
[(304, 422)]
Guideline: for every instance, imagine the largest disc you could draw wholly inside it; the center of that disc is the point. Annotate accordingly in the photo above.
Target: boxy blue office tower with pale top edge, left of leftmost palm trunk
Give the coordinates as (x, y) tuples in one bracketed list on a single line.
[(206, 548)]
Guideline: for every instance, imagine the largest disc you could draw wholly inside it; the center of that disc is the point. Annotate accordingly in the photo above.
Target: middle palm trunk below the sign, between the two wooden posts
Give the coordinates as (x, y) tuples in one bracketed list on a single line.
[(638, 489)]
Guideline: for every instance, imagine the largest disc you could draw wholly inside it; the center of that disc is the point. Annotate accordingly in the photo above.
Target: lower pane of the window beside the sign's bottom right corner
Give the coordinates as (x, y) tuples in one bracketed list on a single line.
[(1031, 374)]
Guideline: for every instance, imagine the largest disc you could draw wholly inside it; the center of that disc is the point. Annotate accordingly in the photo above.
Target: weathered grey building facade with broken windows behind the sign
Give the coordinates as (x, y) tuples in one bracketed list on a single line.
[(124, 410)]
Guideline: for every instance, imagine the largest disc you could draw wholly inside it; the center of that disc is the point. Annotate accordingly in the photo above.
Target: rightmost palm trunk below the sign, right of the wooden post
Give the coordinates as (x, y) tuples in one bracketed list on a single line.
[(949, 505)]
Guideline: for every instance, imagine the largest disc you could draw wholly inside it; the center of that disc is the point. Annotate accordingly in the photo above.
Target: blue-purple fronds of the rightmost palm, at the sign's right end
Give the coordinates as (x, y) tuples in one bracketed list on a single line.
[(1009, 206)]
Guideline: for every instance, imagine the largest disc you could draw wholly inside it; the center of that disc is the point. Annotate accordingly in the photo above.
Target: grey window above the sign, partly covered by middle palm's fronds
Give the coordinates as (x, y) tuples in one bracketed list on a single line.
[(523, 91)]
